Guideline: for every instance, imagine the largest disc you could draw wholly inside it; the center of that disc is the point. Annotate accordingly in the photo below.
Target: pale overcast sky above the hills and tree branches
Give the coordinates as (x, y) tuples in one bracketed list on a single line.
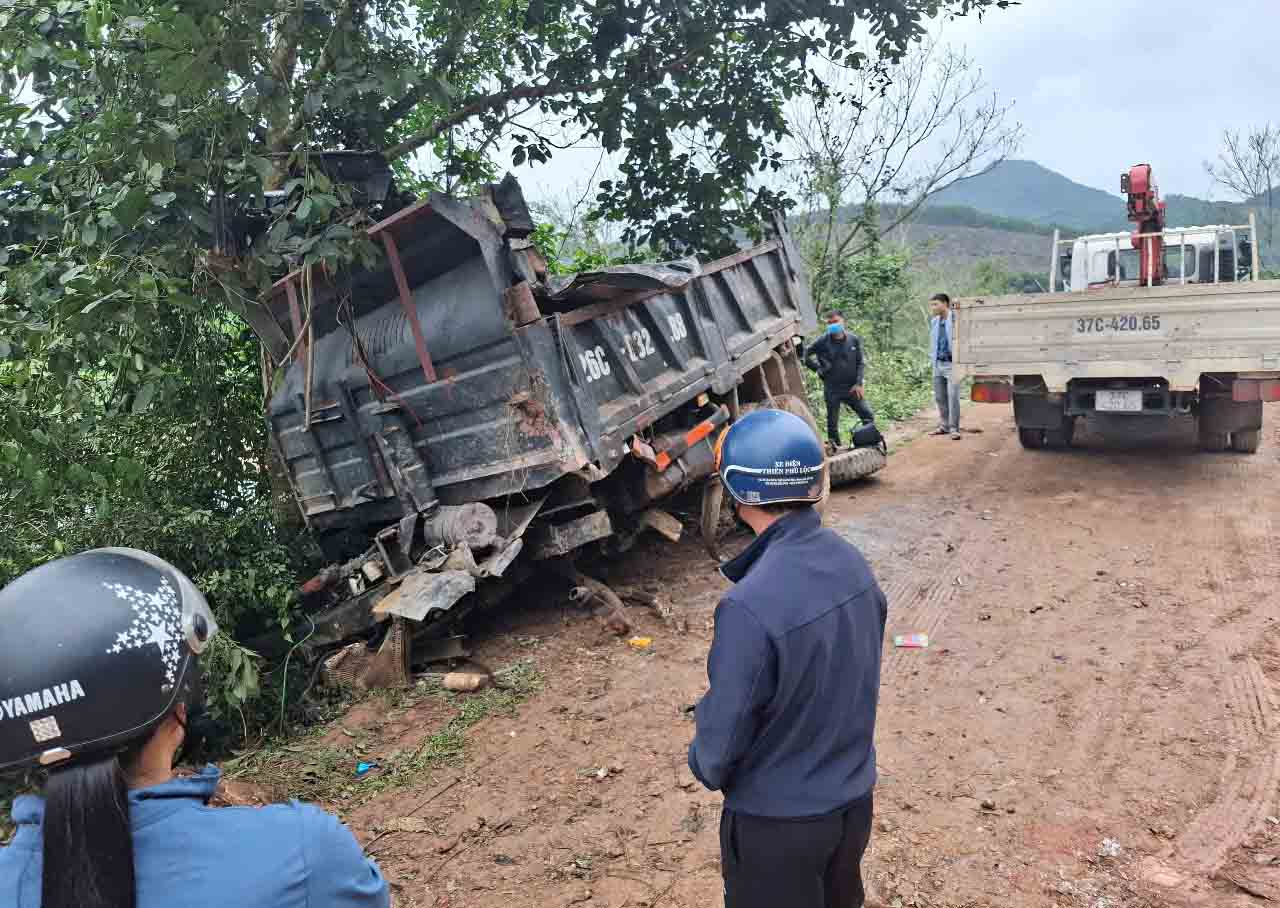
[(1100, 85)]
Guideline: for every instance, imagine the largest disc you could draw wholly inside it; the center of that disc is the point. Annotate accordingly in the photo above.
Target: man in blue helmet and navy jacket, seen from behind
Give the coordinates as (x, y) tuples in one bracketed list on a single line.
[(787, 729)]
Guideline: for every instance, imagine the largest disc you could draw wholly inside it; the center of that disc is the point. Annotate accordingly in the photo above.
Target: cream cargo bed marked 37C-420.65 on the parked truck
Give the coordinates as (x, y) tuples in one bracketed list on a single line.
[(1172, 332)]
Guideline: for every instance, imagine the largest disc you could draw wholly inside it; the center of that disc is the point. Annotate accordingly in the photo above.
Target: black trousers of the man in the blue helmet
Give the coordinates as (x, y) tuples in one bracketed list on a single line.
[(796, 864)]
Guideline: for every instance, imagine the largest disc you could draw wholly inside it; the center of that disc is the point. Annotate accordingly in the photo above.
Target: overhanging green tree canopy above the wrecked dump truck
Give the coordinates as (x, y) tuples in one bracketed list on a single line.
[(129, 131)]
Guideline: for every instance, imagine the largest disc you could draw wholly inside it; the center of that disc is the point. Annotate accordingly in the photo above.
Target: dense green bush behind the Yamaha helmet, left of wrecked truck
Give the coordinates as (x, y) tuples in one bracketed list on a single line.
[(184, 477)]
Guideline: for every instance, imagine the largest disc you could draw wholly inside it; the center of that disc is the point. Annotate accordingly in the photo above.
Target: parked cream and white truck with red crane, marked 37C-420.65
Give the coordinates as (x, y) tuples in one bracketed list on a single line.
[(1142, 326)]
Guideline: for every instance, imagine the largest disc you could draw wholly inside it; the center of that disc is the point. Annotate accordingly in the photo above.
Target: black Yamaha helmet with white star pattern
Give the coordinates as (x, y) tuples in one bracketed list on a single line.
[(95, 651)]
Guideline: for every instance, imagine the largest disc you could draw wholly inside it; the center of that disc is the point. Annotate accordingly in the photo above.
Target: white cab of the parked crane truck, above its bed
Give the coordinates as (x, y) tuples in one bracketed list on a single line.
[(1190, 257)]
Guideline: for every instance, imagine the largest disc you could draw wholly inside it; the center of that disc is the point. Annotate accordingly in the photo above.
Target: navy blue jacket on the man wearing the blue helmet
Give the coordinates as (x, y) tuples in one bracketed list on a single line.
[(788, 726)]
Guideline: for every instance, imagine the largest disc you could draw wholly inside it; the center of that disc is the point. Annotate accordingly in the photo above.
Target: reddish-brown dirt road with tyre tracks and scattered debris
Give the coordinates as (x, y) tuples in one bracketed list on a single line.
[(1095, 723)]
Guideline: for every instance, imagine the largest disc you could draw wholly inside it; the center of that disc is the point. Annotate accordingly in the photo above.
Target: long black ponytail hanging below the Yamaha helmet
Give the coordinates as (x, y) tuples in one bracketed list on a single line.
[(88, 842)]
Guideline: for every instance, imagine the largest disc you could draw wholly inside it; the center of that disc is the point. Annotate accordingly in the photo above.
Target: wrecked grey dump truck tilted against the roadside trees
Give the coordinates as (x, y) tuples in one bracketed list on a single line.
[(456, 418)]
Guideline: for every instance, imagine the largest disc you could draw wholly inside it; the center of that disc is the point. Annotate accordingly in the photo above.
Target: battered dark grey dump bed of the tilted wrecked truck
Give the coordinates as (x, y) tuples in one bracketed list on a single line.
[(460, 373)]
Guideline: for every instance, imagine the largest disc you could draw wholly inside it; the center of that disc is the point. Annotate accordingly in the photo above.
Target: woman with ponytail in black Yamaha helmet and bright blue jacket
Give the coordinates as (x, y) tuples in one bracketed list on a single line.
[(99, 685)]
